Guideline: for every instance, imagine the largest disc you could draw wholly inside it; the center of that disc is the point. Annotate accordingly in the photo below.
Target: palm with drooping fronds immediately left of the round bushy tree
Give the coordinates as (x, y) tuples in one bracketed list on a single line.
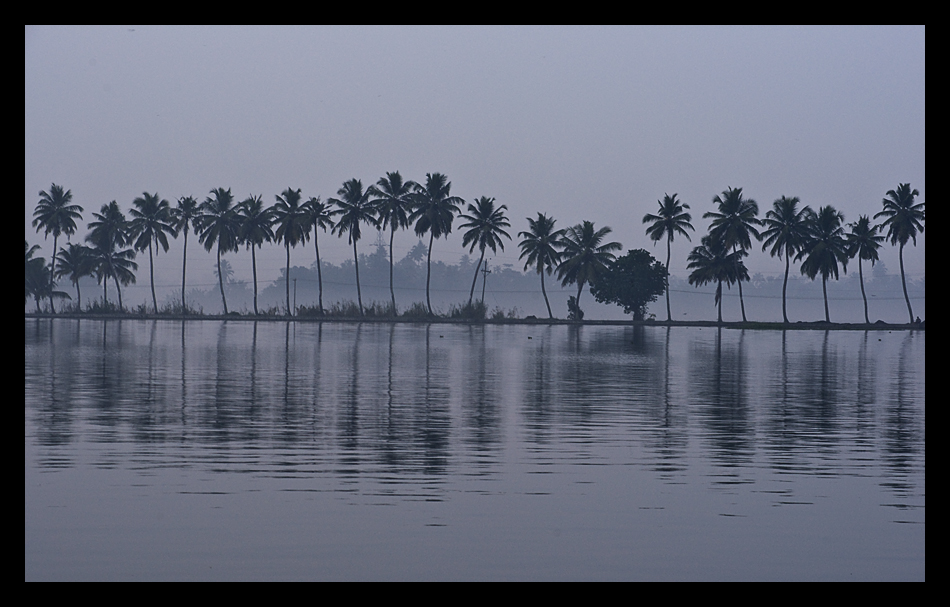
[(583, 257)]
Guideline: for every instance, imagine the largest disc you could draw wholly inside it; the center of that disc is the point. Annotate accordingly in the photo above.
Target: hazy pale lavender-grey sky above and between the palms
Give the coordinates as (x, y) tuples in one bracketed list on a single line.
[(581, 123)]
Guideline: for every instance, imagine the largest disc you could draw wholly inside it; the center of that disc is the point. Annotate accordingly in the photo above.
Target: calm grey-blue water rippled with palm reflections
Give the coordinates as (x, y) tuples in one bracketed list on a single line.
[(164, 450)]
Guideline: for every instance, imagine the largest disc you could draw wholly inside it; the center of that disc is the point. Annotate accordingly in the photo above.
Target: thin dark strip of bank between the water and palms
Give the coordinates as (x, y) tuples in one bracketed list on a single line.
[(751, 325)]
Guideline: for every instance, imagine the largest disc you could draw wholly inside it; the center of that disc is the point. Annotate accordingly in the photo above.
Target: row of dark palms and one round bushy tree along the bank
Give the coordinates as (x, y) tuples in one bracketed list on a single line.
[(578, 255)]
